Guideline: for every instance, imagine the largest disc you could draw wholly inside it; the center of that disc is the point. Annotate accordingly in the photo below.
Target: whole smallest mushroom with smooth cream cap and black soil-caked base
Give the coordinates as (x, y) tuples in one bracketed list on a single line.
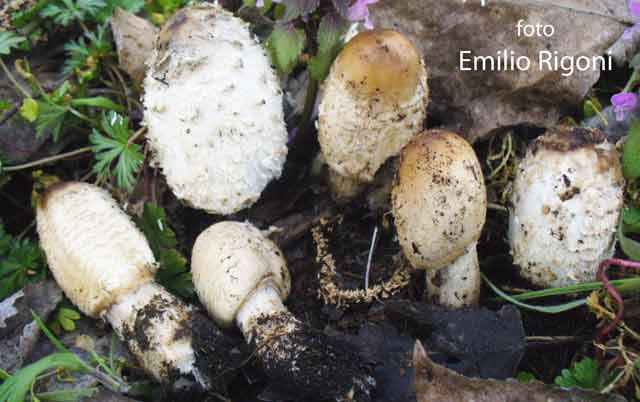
[(241, 276)]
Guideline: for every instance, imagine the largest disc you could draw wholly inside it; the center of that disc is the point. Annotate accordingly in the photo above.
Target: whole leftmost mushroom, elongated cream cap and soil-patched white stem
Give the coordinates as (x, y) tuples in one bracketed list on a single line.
[(104, 265)]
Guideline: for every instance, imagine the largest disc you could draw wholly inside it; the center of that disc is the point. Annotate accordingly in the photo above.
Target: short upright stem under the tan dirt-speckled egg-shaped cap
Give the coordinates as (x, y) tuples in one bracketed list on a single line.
[(458, 284)]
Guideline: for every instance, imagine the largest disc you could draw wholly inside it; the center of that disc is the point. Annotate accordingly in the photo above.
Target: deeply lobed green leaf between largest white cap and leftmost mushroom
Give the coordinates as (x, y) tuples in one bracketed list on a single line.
[(115, 148)]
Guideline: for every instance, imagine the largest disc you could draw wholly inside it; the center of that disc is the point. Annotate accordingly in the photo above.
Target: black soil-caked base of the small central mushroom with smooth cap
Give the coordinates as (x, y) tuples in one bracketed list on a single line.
[(308, 364)]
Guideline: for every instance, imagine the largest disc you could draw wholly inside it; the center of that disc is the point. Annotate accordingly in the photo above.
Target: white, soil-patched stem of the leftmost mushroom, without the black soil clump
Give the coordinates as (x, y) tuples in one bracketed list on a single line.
[(149, 321)]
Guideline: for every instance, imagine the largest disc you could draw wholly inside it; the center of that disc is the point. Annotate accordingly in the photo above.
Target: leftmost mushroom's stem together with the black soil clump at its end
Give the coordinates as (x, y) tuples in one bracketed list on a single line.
[(166, 337)]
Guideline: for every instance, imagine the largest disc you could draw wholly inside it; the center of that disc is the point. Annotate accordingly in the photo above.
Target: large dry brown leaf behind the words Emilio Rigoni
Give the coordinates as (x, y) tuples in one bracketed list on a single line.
[(477, 103)]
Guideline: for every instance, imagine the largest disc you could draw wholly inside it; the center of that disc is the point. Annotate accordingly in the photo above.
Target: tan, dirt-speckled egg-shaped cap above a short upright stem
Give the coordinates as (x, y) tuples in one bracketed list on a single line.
[(439, 201)]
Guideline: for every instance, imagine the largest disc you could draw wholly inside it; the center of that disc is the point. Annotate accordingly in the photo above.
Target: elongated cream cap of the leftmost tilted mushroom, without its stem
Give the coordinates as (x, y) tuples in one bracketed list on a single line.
[(95, 252)]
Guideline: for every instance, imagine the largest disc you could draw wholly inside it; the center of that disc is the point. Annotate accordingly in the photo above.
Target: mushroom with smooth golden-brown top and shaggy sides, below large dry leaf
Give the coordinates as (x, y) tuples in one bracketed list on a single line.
[(374, 102)]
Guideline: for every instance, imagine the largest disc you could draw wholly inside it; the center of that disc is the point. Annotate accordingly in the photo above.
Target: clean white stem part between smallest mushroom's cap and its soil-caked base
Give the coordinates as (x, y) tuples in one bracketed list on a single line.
[(265, 301)]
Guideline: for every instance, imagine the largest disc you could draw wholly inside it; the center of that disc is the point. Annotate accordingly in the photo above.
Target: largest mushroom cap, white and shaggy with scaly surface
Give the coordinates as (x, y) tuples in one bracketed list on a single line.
[(213, 105)]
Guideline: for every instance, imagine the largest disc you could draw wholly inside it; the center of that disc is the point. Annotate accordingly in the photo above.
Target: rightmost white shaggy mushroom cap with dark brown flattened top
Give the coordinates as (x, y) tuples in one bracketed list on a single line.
[(566, 202)]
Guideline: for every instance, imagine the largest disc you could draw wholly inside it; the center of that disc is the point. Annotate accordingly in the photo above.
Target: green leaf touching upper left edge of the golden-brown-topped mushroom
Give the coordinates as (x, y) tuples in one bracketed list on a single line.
[(330, 32)]
